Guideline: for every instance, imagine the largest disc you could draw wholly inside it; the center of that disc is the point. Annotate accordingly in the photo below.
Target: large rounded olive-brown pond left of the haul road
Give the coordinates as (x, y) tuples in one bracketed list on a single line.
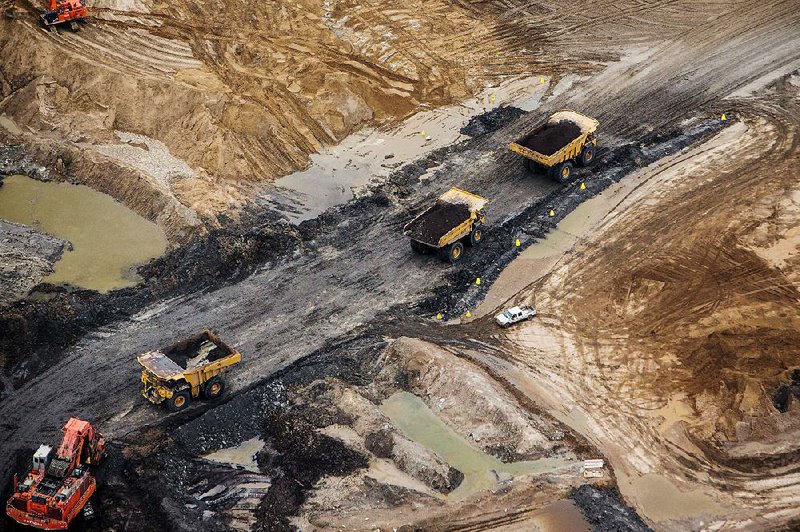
[(108, 239)]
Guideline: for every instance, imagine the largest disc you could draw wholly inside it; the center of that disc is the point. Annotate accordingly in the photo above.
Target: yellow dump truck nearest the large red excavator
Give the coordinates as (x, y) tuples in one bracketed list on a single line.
[(187, 370)]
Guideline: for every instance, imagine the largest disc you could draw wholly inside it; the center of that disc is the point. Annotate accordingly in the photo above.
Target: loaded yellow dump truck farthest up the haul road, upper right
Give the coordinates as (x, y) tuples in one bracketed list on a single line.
[(567, 138)]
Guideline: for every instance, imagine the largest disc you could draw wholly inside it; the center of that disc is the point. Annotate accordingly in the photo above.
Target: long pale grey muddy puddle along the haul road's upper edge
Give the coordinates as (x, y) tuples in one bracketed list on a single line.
[(371, 153)]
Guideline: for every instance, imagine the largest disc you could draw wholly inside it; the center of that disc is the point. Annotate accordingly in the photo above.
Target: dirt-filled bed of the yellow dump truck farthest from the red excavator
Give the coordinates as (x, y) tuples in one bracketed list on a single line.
[(559, 139)]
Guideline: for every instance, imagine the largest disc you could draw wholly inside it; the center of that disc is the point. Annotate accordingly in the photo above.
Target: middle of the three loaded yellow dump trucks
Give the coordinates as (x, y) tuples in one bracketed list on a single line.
[(455, 219)]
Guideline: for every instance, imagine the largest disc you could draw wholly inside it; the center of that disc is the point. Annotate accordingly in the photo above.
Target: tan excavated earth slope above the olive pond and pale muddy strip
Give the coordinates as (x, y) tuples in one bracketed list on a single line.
[(209, 102)]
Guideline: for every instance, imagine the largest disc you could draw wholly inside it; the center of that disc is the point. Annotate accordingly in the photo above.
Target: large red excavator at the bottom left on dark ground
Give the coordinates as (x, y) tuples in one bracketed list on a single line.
[(59, 485)]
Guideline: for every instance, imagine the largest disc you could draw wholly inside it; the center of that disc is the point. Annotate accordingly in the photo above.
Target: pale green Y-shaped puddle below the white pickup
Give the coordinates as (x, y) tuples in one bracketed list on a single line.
[(481, 471)]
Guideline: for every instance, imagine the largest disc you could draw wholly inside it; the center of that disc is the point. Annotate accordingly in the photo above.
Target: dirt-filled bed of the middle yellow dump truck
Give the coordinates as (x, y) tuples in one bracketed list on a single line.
[(448, 219)]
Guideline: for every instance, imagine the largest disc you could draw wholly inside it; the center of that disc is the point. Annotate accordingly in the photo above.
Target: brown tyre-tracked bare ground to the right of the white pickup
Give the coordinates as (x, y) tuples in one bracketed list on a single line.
[(672, 327)]
